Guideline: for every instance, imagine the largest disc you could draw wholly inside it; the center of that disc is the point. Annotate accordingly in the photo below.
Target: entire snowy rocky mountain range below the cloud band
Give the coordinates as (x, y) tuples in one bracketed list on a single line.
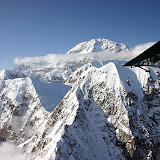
[(103, 111)]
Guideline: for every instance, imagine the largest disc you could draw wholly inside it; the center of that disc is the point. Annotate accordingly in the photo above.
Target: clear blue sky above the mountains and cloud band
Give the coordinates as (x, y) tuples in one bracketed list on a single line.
[(40, 27)]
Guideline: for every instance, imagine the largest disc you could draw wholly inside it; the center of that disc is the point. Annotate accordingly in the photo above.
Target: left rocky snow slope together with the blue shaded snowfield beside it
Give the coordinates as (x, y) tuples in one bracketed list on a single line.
[(21, 110)]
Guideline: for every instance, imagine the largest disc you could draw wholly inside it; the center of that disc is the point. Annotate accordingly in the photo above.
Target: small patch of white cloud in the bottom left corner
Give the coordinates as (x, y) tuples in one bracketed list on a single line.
[(10, 152)]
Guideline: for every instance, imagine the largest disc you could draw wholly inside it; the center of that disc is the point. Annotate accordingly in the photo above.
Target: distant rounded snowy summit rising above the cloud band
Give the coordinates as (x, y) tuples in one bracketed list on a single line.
[(98, 45)]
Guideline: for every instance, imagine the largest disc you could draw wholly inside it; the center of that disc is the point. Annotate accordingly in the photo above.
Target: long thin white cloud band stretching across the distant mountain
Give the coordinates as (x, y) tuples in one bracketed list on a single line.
[(101, 56)]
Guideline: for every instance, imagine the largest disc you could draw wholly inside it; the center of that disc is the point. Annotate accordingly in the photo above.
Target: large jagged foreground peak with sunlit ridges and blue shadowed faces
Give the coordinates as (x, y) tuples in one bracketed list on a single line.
[(111, 112)]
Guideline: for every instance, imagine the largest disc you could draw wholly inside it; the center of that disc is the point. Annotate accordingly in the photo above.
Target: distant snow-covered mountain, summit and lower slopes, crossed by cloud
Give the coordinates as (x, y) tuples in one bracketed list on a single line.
[(61, 69)]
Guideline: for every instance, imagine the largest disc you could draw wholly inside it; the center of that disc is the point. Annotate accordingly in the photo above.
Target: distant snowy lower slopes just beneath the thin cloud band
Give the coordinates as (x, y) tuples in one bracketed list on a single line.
[(58, 72)]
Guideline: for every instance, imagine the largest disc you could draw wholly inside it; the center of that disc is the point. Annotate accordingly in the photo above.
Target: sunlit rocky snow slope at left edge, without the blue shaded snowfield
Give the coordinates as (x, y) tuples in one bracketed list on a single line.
[(21, 112)]
